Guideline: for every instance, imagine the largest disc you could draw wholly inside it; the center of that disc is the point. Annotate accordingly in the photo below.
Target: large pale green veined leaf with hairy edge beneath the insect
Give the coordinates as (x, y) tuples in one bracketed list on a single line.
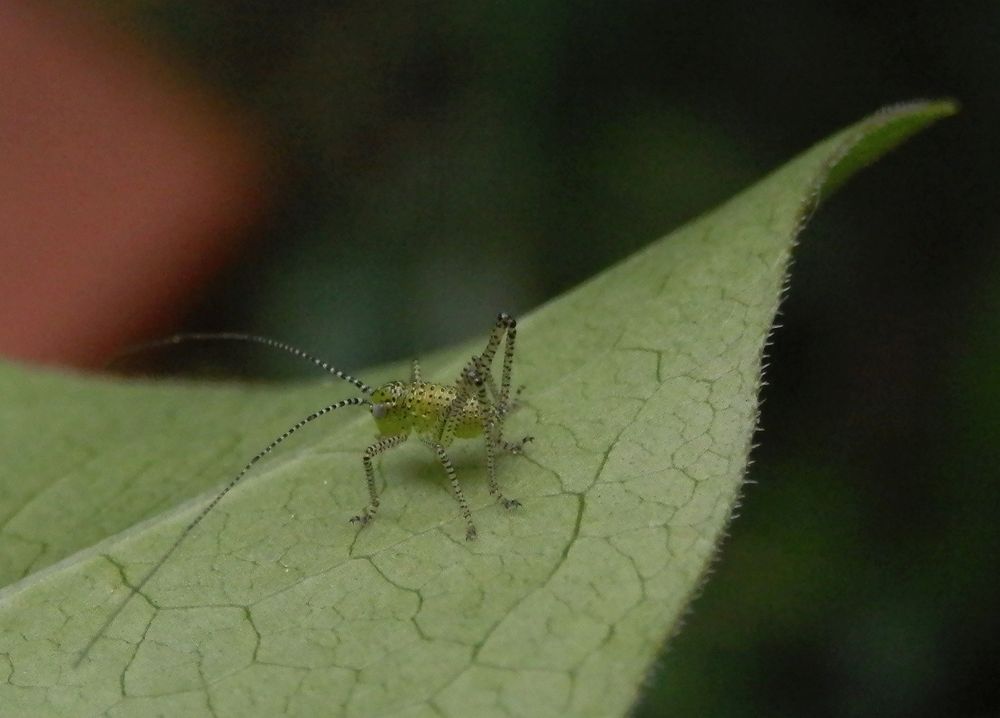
[(642, 388)]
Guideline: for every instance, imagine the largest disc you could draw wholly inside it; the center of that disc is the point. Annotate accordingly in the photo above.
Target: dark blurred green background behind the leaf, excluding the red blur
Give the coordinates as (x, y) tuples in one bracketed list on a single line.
[(436, 162)]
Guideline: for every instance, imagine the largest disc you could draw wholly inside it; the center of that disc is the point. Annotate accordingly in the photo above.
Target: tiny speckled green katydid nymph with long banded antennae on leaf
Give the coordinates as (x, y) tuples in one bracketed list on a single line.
[(474, 406)]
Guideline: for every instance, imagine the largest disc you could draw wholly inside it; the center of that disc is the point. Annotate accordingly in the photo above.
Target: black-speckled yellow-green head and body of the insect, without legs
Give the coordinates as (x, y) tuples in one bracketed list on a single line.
[(422, 407)]
